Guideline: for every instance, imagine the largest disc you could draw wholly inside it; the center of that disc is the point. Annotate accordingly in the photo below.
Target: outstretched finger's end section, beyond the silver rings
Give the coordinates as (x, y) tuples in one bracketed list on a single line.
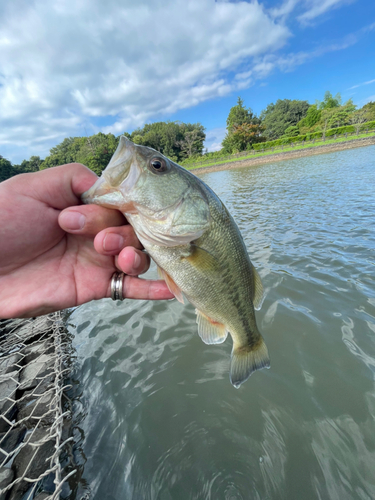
[(136, 288)]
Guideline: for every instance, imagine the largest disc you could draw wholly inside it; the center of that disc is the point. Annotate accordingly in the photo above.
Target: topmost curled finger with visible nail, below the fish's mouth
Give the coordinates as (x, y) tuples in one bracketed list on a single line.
[(89, 220)]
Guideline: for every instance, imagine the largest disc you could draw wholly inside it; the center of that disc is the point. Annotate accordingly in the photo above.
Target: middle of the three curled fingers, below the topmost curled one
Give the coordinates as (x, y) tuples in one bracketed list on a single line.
[(112, 240)]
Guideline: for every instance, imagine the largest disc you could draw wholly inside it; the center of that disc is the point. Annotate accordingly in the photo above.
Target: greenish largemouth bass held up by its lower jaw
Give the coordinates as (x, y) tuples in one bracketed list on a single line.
[(196, 244)]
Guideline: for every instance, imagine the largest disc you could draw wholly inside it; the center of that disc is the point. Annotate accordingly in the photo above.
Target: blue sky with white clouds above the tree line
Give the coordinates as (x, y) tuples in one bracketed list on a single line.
[(78, 67)]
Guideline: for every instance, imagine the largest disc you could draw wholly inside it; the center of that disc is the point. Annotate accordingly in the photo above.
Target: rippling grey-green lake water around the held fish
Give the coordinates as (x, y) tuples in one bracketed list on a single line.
[(159, 418)]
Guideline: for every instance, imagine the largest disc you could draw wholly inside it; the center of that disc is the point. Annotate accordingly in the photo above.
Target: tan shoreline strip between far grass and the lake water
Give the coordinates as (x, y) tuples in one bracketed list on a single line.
[(288, 155)]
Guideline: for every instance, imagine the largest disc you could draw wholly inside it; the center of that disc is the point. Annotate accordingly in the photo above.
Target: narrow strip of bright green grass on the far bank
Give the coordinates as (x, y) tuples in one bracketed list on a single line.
[(281, 149)]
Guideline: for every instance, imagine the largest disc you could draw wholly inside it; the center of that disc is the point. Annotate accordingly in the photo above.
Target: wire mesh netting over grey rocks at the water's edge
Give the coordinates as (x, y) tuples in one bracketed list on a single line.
[(34, 408)]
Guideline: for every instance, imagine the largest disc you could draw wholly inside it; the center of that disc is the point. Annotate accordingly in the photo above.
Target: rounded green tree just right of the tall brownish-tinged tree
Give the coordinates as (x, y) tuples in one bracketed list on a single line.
[(285, 113)]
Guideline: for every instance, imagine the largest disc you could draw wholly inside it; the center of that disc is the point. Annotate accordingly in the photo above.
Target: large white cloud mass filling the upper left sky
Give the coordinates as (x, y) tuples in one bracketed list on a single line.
[(64, 63)]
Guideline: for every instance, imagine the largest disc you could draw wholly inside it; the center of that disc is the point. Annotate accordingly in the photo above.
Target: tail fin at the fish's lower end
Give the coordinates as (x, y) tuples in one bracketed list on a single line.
[(246, 360)]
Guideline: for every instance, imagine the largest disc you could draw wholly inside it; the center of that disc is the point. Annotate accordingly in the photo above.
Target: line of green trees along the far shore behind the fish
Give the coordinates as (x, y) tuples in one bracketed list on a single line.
[(183, 142)]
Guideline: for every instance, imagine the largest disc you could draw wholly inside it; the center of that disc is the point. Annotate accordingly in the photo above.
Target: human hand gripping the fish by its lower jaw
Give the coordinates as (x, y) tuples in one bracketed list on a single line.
[(56, 253)]
